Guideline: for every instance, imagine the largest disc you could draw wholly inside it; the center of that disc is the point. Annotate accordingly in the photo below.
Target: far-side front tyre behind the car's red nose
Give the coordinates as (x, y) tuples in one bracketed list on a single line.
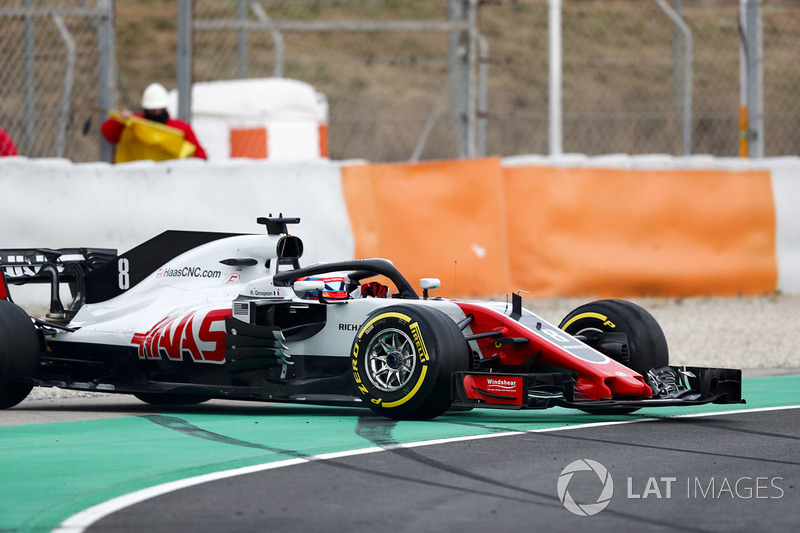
[(646, 347)]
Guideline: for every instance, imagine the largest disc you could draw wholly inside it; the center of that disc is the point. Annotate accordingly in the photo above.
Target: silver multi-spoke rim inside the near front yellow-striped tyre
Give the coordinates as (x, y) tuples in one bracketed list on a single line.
[(391, 360)]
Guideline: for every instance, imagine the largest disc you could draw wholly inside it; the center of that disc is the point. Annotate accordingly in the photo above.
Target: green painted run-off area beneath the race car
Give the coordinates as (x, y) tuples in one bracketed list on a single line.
[(70, 474)]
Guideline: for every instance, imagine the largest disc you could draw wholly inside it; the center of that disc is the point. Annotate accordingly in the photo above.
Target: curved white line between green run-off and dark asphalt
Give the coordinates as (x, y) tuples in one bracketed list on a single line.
[(78, 522)]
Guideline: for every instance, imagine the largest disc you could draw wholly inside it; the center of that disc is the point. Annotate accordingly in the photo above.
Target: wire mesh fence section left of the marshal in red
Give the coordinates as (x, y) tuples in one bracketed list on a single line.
[(54, 59)]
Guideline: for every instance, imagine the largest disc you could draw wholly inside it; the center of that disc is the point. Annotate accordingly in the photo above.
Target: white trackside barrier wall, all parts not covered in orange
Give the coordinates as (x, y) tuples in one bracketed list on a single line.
[(55, 203)]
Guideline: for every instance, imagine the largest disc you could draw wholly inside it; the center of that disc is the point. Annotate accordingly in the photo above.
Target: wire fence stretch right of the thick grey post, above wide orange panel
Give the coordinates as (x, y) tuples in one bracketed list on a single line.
[(622, 77)]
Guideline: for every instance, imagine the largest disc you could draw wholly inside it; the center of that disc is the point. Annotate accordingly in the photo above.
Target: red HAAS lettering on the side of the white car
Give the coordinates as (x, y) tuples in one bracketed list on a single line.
[(198, 336)]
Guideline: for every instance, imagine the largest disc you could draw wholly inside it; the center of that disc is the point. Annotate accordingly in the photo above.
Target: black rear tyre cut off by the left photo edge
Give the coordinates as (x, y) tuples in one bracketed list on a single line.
[(20, 352)]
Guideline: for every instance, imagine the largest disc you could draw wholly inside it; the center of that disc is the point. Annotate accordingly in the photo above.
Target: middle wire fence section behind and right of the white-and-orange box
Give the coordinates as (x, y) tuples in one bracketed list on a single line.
[(384, 66)]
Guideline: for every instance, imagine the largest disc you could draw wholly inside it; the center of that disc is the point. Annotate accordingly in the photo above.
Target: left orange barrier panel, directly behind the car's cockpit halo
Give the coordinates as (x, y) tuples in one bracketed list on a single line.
[(441, 219)]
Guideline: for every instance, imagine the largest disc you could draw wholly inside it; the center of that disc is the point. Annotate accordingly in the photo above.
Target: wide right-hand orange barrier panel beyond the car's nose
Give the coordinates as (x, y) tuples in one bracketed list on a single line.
[(611, 233)]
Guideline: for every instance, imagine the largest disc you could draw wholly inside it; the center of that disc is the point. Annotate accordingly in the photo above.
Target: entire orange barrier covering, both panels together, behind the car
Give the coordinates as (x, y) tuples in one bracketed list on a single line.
[(582, 232)]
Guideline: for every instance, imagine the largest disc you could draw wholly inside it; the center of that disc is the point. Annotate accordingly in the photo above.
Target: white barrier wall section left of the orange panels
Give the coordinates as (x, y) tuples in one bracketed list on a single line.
[(55, 203)]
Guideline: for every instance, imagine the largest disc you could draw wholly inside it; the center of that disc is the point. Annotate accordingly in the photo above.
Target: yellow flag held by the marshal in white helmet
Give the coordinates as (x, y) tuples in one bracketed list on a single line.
[(145, 139)]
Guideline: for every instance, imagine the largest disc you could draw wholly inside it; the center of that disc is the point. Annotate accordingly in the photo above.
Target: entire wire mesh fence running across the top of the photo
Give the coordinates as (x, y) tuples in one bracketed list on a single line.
[(398, 92)]
